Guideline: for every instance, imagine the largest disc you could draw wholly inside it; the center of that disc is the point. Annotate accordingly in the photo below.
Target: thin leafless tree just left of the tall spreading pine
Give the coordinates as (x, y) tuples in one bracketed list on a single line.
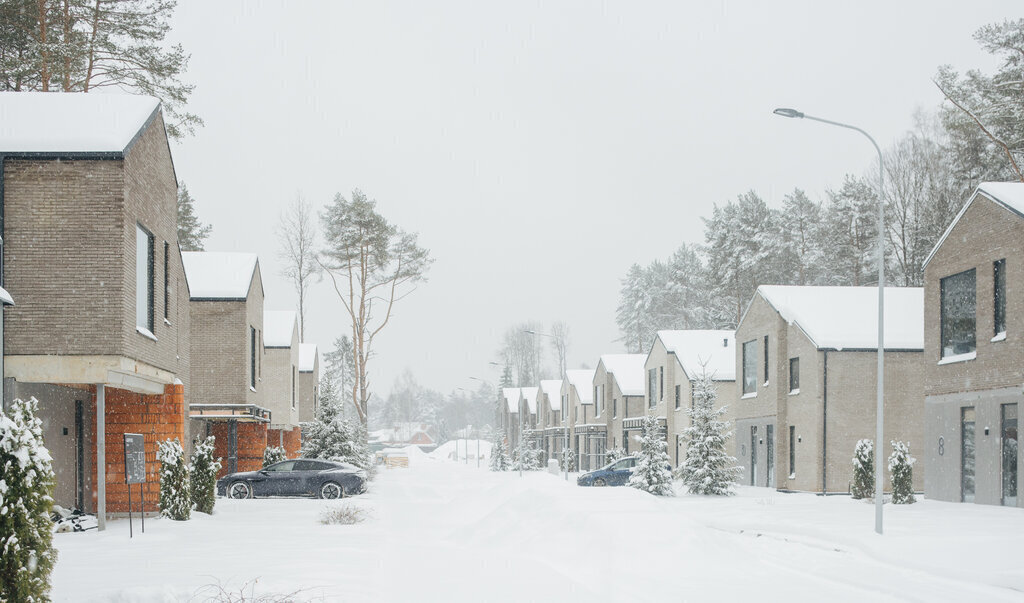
[(297, 235)]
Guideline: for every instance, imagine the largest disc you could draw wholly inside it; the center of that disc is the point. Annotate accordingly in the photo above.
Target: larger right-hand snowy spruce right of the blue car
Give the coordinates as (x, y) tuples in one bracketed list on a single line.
[(708, 469)]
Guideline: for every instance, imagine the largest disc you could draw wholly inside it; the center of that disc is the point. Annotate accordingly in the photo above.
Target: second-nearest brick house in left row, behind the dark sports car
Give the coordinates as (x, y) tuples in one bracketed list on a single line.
[(227, 351)]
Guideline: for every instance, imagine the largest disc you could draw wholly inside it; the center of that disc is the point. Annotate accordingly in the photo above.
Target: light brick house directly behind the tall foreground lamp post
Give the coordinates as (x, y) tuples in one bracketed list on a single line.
[(806, 366)]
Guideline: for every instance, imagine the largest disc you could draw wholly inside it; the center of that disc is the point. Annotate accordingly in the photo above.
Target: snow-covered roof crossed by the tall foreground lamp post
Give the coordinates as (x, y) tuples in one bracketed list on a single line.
[(847, 318)]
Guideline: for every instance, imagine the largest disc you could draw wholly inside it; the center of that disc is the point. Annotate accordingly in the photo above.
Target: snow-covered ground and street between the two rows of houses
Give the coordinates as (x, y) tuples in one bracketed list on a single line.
[(445, 531)]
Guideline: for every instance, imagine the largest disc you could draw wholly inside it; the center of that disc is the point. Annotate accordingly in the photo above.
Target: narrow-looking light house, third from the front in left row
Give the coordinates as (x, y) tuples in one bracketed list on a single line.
[(281, 379)]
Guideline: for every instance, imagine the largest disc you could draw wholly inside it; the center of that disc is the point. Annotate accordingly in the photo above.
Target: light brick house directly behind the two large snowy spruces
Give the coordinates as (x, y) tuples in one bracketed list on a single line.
[(679, 358)]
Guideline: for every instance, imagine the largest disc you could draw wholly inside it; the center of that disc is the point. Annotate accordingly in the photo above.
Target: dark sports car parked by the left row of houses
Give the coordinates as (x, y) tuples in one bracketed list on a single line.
[(302, 478)]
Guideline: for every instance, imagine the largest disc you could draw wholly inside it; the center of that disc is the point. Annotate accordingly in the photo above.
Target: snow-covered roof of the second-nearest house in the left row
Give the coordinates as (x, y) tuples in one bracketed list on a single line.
[(219, 275)]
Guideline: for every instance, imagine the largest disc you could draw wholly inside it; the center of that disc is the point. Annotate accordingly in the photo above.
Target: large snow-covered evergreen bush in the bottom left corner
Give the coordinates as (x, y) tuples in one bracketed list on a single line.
[(27, 553)]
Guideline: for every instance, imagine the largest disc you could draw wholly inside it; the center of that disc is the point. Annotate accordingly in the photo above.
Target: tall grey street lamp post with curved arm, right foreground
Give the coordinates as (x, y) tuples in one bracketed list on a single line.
[(880, 413)]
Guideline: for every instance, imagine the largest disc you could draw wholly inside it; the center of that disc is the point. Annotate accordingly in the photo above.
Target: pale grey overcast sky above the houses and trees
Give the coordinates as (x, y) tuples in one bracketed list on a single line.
[(538, 149)]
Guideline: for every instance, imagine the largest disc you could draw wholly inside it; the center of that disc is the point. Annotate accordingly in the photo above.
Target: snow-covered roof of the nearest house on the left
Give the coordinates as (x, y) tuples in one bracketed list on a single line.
[(53, 122)]
